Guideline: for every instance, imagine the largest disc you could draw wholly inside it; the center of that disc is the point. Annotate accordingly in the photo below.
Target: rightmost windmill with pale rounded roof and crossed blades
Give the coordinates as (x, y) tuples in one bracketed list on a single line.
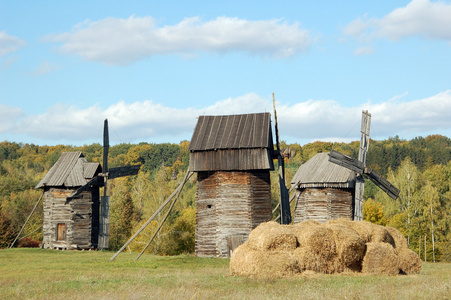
[(330, 185)]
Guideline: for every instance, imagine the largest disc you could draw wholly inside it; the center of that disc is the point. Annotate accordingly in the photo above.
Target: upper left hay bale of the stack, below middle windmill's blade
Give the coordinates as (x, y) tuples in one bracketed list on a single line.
[(272, 236)]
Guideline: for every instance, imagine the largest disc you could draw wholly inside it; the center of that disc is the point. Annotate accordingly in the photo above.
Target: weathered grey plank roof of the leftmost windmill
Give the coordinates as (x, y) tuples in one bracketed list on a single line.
[(70, 170)]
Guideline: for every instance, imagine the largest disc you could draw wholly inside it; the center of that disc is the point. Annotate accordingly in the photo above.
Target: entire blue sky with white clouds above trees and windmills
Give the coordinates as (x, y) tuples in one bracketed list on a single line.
[(152, 67)]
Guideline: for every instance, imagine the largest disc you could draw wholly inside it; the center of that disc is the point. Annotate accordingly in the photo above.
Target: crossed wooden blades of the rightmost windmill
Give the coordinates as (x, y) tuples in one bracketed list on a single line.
[(359, 166)]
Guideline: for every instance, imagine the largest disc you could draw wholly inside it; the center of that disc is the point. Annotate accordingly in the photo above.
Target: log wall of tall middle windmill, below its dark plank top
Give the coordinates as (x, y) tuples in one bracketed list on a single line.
[(229, 204)]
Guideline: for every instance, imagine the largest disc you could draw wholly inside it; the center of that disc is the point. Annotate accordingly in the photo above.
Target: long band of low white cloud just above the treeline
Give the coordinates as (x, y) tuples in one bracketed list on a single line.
[(307, 121)]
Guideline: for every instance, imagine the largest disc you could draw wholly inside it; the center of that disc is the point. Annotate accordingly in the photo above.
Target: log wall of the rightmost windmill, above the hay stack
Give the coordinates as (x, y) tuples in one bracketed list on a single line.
[(323, 204)]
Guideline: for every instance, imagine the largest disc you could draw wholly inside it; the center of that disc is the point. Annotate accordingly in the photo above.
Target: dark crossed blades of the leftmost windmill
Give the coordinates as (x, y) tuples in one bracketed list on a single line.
[(106, 174)]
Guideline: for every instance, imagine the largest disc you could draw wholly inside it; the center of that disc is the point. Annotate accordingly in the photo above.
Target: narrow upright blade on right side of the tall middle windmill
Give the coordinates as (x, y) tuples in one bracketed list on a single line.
[(284, 196)]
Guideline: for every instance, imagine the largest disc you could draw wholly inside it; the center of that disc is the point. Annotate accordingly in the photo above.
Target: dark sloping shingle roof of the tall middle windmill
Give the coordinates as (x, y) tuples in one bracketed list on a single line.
[(232, 132)]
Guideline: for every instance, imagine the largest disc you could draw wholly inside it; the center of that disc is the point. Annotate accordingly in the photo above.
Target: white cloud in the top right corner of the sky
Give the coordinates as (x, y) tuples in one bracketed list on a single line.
[(419, 17)]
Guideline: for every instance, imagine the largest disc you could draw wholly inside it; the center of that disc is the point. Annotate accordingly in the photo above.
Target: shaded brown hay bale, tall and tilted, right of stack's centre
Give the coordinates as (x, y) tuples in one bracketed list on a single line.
[(350, 247)]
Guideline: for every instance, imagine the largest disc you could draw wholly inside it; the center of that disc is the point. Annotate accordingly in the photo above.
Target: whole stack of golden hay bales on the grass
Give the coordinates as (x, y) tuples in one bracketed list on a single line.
[(274, 250)]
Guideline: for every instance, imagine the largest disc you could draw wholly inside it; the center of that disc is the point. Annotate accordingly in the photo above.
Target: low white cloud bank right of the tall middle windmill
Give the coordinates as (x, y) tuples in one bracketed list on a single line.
[(320, 119)]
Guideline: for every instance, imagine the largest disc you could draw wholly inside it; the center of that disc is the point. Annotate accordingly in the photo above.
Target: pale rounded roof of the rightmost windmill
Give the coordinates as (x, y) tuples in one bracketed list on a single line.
[(319, 172)]
